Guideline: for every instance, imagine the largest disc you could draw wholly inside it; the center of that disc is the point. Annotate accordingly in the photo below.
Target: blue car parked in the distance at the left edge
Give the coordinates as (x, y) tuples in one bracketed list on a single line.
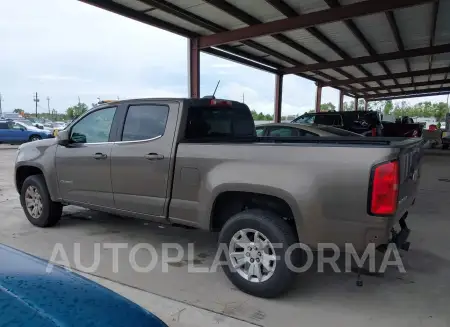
[(14, 133)]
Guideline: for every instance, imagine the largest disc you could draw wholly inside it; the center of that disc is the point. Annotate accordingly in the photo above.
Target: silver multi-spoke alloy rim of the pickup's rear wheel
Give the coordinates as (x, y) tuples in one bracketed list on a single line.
[(252, 255)]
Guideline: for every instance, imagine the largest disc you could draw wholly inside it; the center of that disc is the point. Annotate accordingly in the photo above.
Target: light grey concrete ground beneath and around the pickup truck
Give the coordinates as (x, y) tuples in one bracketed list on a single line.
[(420, 297)]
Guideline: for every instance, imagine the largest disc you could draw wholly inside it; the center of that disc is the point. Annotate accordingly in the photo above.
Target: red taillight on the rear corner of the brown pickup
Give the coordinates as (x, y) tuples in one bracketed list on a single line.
[(385, 189)]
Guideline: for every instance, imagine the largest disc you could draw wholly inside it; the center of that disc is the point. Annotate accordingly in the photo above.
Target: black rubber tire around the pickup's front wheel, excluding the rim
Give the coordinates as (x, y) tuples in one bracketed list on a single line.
[(51, 212)]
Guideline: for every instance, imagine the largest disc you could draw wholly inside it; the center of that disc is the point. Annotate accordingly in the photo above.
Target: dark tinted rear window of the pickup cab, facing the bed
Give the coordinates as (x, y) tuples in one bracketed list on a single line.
[(209, 121)]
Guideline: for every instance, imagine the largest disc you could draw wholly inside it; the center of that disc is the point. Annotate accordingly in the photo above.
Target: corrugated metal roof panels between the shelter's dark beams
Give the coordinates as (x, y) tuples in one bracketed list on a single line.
[(414, 24)]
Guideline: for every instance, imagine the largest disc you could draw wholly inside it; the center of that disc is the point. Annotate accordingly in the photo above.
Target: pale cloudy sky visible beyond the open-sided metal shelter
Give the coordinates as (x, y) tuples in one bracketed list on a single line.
[(65, 49)]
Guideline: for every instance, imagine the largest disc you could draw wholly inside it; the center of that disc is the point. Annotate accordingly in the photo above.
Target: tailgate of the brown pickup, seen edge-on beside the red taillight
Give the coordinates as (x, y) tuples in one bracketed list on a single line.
[(410, 159)]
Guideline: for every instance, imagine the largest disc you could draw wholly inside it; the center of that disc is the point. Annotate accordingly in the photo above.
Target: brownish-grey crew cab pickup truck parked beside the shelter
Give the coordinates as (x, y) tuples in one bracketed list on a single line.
[(199, 163)]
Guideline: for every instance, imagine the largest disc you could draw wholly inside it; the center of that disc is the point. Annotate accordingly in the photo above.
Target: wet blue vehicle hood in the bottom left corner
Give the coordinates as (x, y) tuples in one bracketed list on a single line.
[(29, 296)]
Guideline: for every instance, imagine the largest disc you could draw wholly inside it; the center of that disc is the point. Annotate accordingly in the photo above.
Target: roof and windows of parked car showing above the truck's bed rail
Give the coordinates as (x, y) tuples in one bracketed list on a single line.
[(297, 130)]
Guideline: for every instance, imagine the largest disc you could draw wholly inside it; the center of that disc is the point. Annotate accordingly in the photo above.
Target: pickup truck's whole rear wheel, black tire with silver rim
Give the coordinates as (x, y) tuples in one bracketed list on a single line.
[(256, 243)]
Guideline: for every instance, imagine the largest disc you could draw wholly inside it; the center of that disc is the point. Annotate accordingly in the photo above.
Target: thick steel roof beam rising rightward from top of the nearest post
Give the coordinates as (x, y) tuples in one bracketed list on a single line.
[(307, 20)]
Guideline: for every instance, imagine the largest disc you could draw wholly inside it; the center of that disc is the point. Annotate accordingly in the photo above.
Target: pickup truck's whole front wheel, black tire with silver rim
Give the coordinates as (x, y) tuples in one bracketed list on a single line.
[(39, 208)]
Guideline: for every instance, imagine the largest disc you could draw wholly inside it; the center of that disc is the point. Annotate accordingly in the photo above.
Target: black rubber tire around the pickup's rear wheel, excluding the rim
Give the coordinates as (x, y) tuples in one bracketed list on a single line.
[(277, 230)]
